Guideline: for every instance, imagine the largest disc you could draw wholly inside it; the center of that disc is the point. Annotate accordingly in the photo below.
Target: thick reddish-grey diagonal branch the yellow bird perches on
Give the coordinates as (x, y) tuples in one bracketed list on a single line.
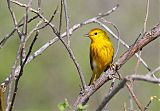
[(147, 38)]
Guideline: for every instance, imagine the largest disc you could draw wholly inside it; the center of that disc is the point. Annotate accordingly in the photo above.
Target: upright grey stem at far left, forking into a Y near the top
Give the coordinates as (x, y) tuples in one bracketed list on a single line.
[(20, 52)]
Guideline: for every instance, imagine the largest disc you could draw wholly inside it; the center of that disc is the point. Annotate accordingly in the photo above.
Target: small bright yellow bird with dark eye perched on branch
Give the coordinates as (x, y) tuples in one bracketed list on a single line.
[(101, 52)]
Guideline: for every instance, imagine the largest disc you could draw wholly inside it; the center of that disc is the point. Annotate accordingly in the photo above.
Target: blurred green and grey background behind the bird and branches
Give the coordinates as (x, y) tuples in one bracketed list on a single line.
[(52, 76)]
